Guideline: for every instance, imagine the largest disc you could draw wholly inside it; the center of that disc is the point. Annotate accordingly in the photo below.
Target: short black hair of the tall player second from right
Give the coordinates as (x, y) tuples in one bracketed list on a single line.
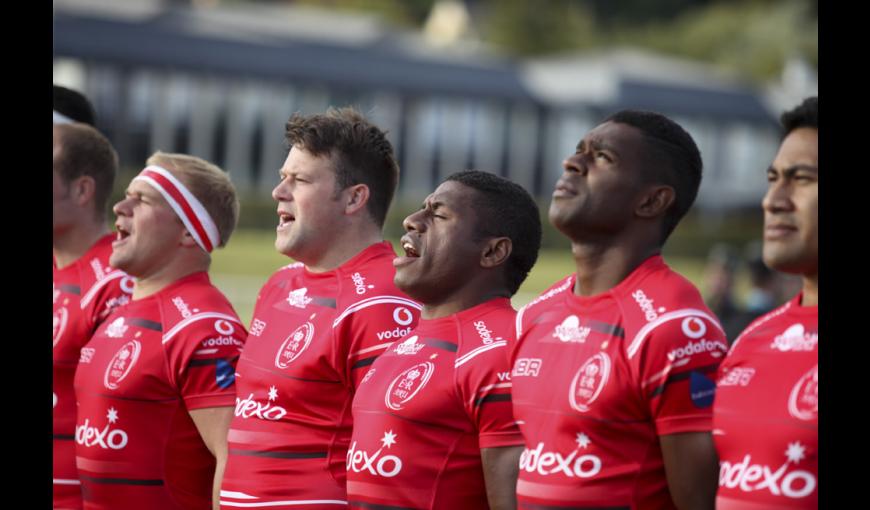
[(676, 162)]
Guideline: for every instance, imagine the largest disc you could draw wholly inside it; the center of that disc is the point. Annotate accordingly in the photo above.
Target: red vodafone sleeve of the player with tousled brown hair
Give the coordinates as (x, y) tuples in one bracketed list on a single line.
[(364, 331)]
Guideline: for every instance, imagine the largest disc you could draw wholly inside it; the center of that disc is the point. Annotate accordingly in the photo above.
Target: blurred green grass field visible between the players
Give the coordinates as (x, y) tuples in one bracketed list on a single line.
[(241, 268)]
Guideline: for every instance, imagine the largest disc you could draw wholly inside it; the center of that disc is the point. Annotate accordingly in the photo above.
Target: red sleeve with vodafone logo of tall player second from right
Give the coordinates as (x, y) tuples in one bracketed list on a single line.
[(676, 361)]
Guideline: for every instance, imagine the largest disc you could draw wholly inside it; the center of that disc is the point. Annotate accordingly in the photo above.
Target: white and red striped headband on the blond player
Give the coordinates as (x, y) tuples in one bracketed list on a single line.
[(191, 211)]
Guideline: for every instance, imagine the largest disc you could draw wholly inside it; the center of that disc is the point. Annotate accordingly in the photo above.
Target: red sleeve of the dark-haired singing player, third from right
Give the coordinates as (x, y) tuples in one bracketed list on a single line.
[(484, 384)]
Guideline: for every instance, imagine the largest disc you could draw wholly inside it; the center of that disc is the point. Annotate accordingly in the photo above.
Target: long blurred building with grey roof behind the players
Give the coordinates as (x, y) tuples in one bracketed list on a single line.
[(221, 82)]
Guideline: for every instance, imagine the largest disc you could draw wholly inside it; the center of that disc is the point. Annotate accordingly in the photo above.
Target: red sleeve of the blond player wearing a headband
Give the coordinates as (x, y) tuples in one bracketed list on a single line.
[(202, 358)]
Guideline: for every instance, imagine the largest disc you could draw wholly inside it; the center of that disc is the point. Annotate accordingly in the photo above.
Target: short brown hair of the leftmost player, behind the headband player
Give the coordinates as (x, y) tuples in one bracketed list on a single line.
[(85, 151)]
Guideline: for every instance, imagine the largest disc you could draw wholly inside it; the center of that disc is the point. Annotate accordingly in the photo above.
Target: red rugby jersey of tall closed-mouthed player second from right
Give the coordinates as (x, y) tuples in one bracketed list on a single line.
[(597, 379)]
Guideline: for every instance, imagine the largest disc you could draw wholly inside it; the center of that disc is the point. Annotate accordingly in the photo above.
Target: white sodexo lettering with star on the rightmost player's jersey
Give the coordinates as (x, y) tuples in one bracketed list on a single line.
[(749, 477)]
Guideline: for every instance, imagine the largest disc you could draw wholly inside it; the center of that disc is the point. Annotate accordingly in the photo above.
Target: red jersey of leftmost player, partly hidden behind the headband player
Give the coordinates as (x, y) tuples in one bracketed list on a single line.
[(85, 292)]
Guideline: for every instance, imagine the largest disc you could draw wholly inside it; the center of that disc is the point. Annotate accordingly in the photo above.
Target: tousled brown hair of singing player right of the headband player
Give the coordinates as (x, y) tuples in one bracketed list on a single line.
[(359, 150)]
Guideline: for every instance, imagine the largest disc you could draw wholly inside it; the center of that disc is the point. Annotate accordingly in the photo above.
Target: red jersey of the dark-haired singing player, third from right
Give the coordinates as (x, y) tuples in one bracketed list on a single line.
[(427, 407)]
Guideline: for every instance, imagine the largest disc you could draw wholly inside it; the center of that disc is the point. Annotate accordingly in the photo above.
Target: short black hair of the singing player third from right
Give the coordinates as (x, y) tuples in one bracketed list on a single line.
[(506, 209)]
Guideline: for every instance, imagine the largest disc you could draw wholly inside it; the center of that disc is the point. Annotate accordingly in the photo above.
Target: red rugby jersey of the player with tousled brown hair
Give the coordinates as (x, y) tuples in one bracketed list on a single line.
[(313, 336)]
